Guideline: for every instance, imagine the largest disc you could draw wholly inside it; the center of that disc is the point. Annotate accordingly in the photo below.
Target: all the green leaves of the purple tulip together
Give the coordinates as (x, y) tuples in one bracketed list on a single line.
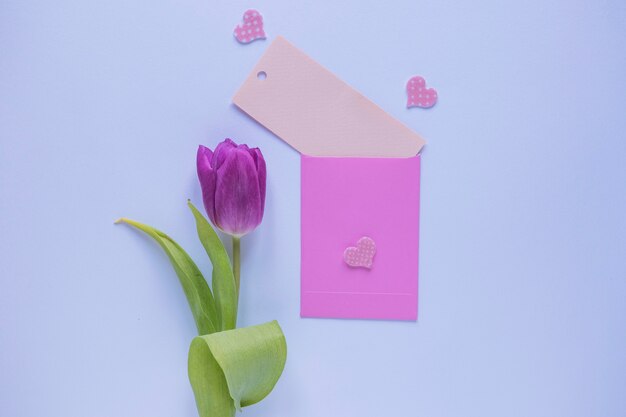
[(228, 368)]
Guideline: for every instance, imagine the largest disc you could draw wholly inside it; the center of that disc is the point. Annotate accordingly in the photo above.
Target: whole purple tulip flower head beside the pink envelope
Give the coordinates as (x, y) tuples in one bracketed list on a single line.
[(232, 179)]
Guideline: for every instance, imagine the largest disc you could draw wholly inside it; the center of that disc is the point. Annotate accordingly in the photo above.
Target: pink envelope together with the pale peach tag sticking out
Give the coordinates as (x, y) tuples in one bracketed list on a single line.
[(360, 187)]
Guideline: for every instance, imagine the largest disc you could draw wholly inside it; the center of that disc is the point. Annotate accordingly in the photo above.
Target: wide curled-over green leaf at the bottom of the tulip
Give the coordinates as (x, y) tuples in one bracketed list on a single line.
[(235, 368)]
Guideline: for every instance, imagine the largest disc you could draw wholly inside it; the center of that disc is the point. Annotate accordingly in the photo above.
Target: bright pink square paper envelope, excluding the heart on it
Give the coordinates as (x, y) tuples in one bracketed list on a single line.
[(344, 199)]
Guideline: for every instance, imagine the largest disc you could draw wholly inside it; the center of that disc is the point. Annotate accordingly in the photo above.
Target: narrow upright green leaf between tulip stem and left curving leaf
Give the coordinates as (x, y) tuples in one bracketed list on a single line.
[(223, 278)]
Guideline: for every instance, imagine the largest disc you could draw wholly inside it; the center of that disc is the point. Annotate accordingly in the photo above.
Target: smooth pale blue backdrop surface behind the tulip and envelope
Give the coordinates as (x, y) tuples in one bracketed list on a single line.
[(523, 224)]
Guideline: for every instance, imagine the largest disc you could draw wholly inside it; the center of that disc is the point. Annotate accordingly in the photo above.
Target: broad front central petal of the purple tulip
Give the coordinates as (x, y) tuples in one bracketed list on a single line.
[(237, 196)]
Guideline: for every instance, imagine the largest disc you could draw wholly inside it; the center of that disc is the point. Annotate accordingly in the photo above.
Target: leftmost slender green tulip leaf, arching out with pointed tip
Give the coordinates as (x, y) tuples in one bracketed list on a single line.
[(194, 285)]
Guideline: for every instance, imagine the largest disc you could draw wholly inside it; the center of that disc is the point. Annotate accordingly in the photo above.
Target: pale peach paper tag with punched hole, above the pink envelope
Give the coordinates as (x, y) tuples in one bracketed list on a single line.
[(318, 114)]
